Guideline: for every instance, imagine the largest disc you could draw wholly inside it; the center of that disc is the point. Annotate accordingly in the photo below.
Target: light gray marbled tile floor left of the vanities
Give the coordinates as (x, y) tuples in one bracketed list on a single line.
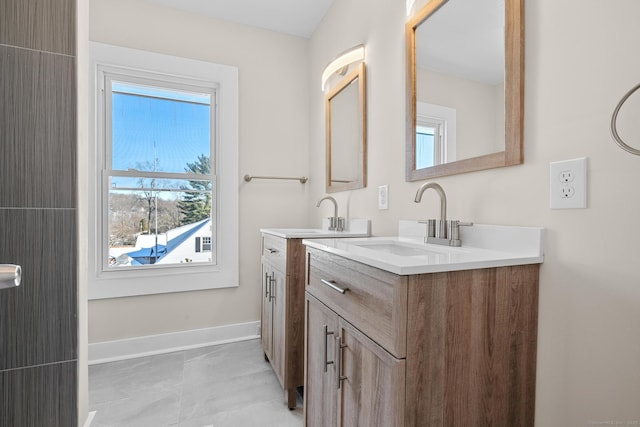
[(228, 385)]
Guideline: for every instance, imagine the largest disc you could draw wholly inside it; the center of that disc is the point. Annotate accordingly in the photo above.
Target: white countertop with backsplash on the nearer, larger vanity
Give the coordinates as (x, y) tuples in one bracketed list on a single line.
[(487, 246)]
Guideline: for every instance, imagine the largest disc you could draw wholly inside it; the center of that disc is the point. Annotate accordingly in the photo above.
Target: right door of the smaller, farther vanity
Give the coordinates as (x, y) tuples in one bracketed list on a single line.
[(278, 327)]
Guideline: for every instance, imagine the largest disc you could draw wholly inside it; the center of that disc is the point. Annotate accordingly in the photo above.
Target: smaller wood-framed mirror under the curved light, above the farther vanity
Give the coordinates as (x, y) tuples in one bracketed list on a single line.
[(346, 132)]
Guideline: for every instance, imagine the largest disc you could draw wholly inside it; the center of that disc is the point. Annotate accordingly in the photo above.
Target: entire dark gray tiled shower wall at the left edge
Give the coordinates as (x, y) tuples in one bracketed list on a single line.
[(38, 320)]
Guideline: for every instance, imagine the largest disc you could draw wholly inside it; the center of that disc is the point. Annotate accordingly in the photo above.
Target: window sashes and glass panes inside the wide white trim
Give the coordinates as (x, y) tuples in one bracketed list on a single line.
[(159, 144)]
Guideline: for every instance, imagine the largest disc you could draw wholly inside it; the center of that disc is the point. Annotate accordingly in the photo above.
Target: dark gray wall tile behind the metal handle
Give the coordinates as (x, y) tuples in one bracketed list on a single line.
[(38, 318)]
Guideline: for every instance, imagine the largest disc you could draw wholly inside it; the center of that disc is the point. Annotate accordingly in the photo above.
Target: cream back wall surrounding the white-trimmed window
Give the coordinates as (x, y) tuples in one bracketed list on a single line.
[(273, 118)]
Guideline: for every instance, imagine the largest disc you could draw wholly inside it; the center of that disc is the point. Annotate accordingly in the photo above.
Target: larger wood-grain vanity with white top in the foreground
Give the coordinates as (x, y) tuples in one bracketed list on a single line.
[(402, 333)]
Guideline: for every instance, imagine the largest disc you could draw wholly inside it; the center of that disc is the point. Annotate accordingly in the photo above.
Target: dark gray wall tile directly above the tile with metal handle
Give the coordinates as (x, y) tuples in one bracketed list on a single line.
[(37, 166)]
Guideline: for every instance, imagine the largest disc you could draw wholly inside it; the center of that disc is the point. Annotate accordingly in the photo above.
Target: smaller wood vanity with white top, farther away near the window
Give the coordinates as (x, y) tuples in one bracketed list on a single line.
[(282, 314)]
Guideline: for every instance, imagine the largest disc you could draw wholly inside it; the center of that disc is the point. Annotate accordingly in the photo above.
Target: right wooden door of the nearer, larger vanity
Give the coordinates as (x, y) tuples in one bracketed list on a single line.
[(372, 381)]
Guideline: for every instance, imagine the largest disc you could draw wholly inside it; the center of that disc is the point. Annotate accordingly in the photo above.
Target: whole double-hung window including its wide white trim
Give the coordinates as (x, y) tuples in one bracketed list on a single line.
[(165, 173)]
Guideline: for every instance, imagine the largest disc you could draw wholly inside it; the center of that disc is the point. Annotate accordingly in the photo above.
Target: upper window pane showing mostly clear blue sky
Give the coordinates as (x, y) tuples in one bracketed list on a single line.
[(159, 129)]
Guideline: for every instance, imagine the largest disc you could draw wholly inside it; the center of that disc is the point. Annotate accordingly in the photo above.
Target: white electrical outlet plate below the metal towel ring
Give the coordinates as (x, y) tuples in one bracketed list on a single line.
[(568, 184)]
